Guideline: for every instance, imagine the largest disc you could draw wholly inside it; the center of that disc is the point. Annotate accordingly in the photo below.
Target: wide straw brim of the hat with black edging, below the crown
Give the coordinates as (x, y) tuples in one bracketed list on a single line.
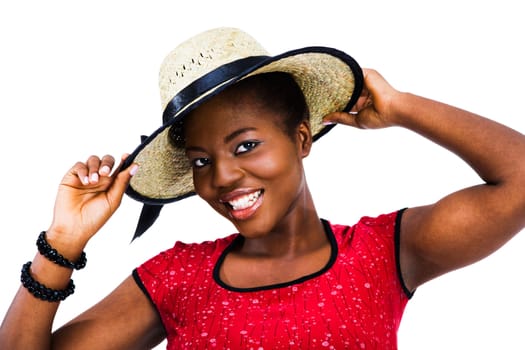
[(330, 80)]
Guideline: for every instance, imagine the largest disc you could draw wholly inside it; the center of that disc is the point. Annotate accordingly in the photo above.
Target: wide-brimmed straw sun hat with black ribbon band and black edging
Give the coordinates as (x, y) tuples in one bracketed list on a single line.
[(206, 64)]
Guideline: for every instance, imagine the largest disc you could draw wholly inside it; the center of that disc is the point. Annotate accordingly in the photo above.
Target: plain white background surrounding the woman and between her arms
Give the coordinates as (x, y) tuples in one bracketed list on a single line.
[(78, 78)]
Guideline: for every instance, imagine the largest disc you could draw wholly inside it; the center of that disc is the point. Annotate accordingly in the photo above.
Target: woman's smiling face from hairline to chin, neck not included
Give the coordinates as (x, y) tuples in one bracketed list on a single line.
[(244, 163)]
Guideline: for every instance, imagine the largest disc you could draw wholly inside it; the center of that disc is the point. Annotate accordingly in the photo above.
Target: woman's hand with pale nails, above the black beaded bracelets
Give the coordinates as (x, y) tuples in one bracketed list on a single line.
[(87, 197)]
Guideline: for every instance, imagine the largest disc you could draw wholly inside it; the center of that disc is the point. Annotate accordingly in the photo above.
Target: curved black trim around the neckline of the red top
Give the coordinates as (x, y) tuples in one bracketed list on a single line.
[(333, 257)]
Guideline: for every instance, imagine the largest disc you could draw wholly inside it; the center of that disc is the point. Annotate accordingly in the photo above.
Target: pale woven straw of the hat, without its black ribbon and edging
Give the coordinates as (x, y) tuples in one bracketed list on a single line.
[(327, 83)]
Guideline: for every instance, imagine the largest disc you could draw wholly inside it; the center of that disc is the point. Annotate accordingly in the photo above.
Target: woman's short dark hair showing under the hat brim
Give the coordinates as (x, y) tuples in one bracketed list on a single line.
[(275, 91)]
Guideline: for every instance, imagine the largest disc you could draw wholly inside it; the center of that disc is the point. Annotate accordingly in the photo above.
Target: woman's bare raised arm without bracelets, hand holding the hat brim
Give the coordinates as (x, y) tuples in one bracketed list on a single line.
[(470, 224)]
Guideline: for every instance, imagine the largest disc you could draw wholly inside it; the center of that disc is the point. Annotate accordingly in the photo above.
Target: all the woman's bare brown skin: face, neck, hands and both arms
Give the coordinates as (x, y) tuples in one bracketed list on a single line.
[(458, 230)]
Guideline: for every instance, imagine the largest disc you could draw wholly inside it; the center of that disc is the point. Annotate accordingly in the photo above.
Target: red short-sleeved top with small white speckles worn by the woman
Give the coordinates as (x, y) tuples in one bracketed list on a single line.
[(356, 301)]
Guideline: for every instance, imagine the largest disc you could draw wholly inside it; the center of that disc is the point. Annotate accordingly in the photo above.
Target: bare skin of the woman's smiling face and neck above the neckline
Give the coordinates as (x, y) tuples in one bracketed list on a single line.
[(283, 236)]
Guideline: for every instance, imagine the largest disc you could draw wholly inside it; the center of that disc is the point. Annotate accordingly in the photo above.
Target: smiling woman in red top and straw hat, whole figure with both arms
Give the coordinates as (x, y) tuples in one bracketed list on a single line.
[(288, 279)]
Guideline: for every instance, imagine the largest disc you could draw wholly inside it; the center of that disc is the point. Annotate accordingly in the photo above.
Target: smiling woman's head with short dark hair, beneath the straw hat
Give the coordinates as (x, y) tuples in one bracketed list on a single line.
[(257, 154)]
